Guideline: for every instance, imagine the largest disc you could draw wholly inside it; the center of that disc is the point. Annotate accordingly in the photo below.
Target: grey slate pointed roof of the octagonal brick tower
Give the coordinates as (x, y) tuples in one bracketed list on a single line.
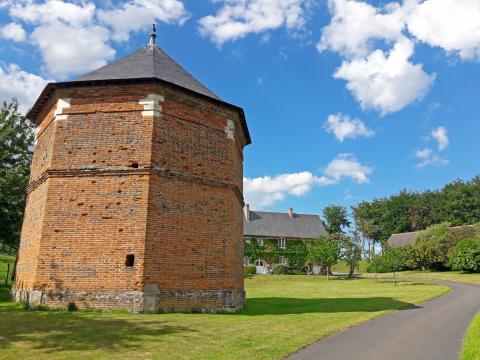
[(148, 62)]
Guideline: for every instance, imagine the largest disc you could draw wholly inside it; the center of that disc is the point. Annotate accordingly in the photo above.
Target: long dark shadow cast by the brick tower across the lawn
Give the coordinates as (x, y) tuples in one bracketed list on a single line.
[(283, 306)]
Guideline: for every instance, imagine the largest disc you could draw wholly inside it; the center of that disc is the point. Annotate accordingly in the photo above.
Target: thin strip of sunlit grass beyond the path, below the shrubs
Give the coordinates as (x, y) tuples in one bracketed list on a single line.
[(452, 276)]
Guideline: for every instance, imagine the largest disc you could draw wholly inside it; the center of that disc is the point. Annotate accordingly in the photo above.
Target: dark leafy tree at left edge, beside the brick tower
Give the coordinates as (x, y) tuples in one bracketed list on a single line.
[(16, 142)]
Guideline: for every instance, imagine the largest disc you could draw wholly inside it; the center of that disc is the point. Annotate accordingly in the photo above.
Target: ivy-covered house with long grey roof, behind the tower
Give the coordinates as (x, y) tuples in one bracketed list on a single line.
[(287, 232)]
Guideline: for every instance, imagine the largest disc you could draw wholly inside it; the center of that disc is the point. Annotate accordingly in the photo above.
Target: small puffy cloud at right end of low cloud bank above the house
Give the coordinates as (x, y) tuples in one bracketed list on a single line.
[(347, 165)]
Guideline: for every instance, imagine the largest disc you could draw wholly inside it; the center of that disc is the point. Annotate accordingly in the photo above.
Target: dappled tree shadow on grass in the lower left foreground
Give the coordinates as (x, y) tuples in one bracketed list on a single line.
[(53, 331)]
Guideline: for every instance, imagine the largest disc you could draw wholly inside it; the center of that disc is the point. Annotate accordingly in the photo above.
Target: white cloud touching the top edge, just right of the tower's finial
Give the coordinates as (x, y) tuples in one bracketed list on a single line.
[(238, 18)]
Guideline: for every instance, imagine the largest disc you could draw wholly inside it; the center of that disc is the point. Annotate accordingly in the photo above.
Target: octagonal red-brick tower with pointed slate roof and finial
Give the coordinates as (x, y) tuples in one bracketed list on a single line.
[(135, 195)]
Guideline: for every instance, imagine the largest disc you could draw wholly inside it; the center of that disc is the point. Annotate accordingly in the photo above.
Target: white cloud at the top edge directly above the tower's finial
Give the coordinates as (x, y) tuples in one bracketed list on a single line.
[(140, 14)]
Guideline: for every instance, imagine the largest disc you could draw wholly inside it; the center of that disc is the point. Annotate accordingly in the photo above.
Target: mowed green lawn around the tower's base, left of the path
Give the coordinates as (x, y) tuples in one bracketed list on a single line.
[(283, 314)]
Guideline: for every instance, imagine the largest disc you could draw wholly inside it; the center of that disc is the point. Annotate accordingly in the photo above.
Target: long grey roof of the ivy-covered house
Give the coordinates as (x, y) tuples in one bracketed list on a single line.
[(273, 224)]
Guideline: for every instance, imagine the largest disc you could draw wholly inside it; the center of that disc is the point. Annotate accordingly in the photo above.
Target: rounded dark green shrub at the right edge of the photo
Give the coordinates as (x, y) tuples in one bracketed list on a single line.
[(466, 255)]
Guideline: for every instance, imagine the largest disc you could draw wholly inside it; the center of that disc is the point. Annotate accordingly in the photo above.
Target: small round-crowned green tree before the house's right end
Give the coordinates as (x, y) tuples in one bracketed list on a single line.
[(324, 251)]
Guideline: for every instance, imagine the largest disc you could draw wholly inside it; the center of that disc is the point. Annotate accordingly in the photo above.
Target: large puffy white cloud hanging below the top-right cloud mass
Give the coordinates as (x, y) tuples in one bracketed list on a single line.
[(386, 82)]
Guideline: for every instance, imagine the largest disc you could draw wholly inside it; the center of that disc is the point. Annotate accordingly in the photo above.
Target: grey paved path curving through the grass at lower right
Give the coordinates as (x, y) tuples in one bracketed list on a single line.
[(431, 331)]
